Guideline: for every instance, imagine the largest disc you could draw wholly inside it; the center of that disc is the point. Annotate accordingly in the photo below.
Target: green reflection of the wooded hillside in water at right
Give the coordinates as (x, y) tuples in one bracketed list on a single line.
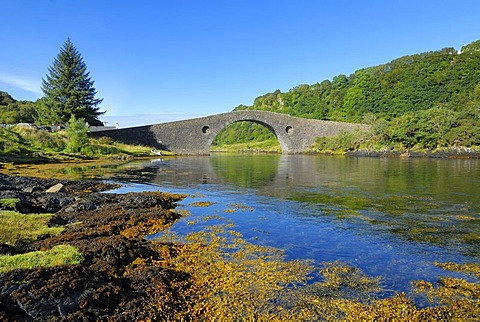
[(424, 201)]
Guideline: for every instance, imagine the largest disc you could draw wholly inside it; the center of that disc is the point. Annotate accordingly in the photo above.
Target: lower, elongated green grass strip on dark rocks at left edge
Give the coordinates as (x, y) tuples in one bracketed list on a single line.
[(57, 256)]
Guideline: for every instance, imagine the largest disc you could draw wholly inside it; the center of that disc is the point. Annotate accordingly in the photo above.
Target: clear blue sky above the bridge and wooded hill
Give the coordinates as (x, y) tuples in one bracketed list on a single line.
[(158, 61)]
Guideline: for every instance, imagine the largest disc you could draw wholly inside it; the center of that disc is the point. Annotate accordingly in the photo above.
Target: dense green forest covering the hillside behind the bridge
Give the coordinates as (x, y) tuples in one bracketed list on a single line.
[(426, 100)]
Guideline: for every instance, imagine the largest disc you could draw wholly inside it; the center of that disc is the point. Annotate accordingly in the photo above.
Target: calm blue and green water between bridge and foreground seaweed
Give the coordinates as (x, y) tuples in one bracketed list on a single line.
[(391, 217)]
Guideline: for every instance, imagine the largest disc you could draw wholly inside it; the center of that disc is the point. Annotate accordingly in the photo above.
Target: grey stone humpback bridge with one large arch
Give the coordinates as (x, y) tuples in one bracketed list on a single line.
[(195, 136)]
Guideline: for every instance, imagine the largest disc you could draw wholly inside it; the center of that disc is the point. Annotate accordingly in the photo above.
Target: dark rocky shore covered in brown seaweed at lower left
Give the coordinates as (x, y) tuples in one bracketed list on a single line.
[(120, 276)]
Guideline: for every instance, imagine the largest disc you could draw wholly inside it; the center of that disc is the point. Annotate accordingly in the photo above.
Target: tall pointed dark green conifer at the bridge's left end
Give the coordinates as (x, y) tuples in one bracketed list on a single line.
[(68, 90)]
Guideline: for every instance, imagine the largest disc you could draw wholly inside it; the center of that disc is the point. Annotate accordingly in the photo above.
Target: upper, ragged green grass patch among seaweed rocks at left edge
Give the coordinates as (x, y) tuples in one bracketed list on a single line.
[(16, 228)]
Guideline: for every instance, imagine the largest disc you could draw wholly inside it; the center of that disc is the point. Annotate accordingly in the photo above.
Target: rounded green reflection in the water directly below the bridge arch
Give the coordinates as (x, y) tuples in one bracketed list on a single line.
[(246, 170)]
